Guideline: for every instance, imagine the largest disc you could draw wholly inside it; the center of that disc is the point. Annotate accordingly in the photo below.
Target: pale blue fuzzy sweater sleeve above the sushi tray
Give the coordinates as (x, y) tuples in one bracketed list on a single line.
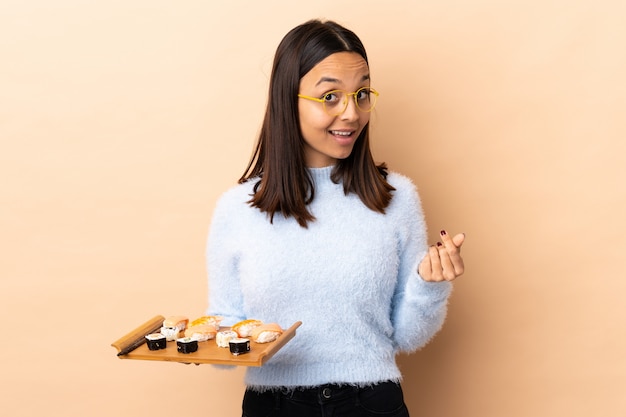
[(222, 256)]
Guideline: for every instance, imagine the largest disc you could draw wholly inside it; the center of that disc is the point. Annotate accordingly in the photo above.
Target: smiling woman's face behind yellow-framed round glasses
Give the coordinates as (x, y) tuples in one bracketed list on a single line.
[(329, 138)]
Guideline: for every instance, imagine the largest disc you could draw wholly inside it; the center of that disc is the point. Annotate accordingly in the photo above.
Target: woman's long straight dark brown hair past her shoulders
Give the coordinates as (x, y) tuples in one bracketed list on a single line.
[(285, 185)]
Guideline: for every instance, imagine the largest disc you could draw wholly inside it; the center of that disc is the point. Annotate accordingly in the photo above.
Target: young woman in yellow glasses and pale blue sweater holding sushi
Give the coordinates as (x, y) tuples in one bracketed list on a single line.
[(316, 232)]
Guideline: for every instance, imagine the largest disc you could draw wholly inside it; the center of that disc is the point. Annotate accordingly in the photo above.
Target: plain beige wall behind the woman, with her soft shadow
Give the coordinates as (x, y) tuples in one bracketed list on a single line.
[(121, 122)]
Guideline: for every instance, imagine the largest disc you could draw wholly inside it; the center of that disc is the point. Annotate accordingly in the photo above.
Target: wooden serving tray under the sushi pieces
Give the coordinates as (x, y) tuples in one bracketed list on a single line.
[(133, 346)]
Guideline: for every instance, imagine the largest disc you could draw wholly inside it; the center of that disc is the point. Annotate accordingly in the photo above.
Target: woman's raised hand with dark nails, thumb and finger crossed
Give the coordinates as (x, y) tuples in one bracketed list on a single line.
[(443, 261)]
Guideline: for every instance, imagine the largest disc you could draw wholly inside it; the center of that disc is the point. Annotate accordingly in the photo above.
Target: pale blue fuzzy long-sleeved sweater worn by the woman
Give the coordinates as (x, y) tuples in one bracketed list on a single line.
[(350, 277)]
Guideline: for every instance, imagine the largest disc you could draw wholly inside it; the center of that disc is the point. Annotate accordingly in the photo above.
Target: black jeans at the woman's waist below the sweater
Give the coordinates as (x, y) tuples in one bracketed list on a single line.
[(380, 400)]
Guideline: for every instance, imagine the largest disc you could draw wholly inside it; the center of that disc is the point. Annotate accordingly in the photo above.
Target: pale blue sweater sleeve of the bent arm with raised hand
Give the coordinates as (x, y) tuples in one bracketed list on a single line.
[(418, 307)]
